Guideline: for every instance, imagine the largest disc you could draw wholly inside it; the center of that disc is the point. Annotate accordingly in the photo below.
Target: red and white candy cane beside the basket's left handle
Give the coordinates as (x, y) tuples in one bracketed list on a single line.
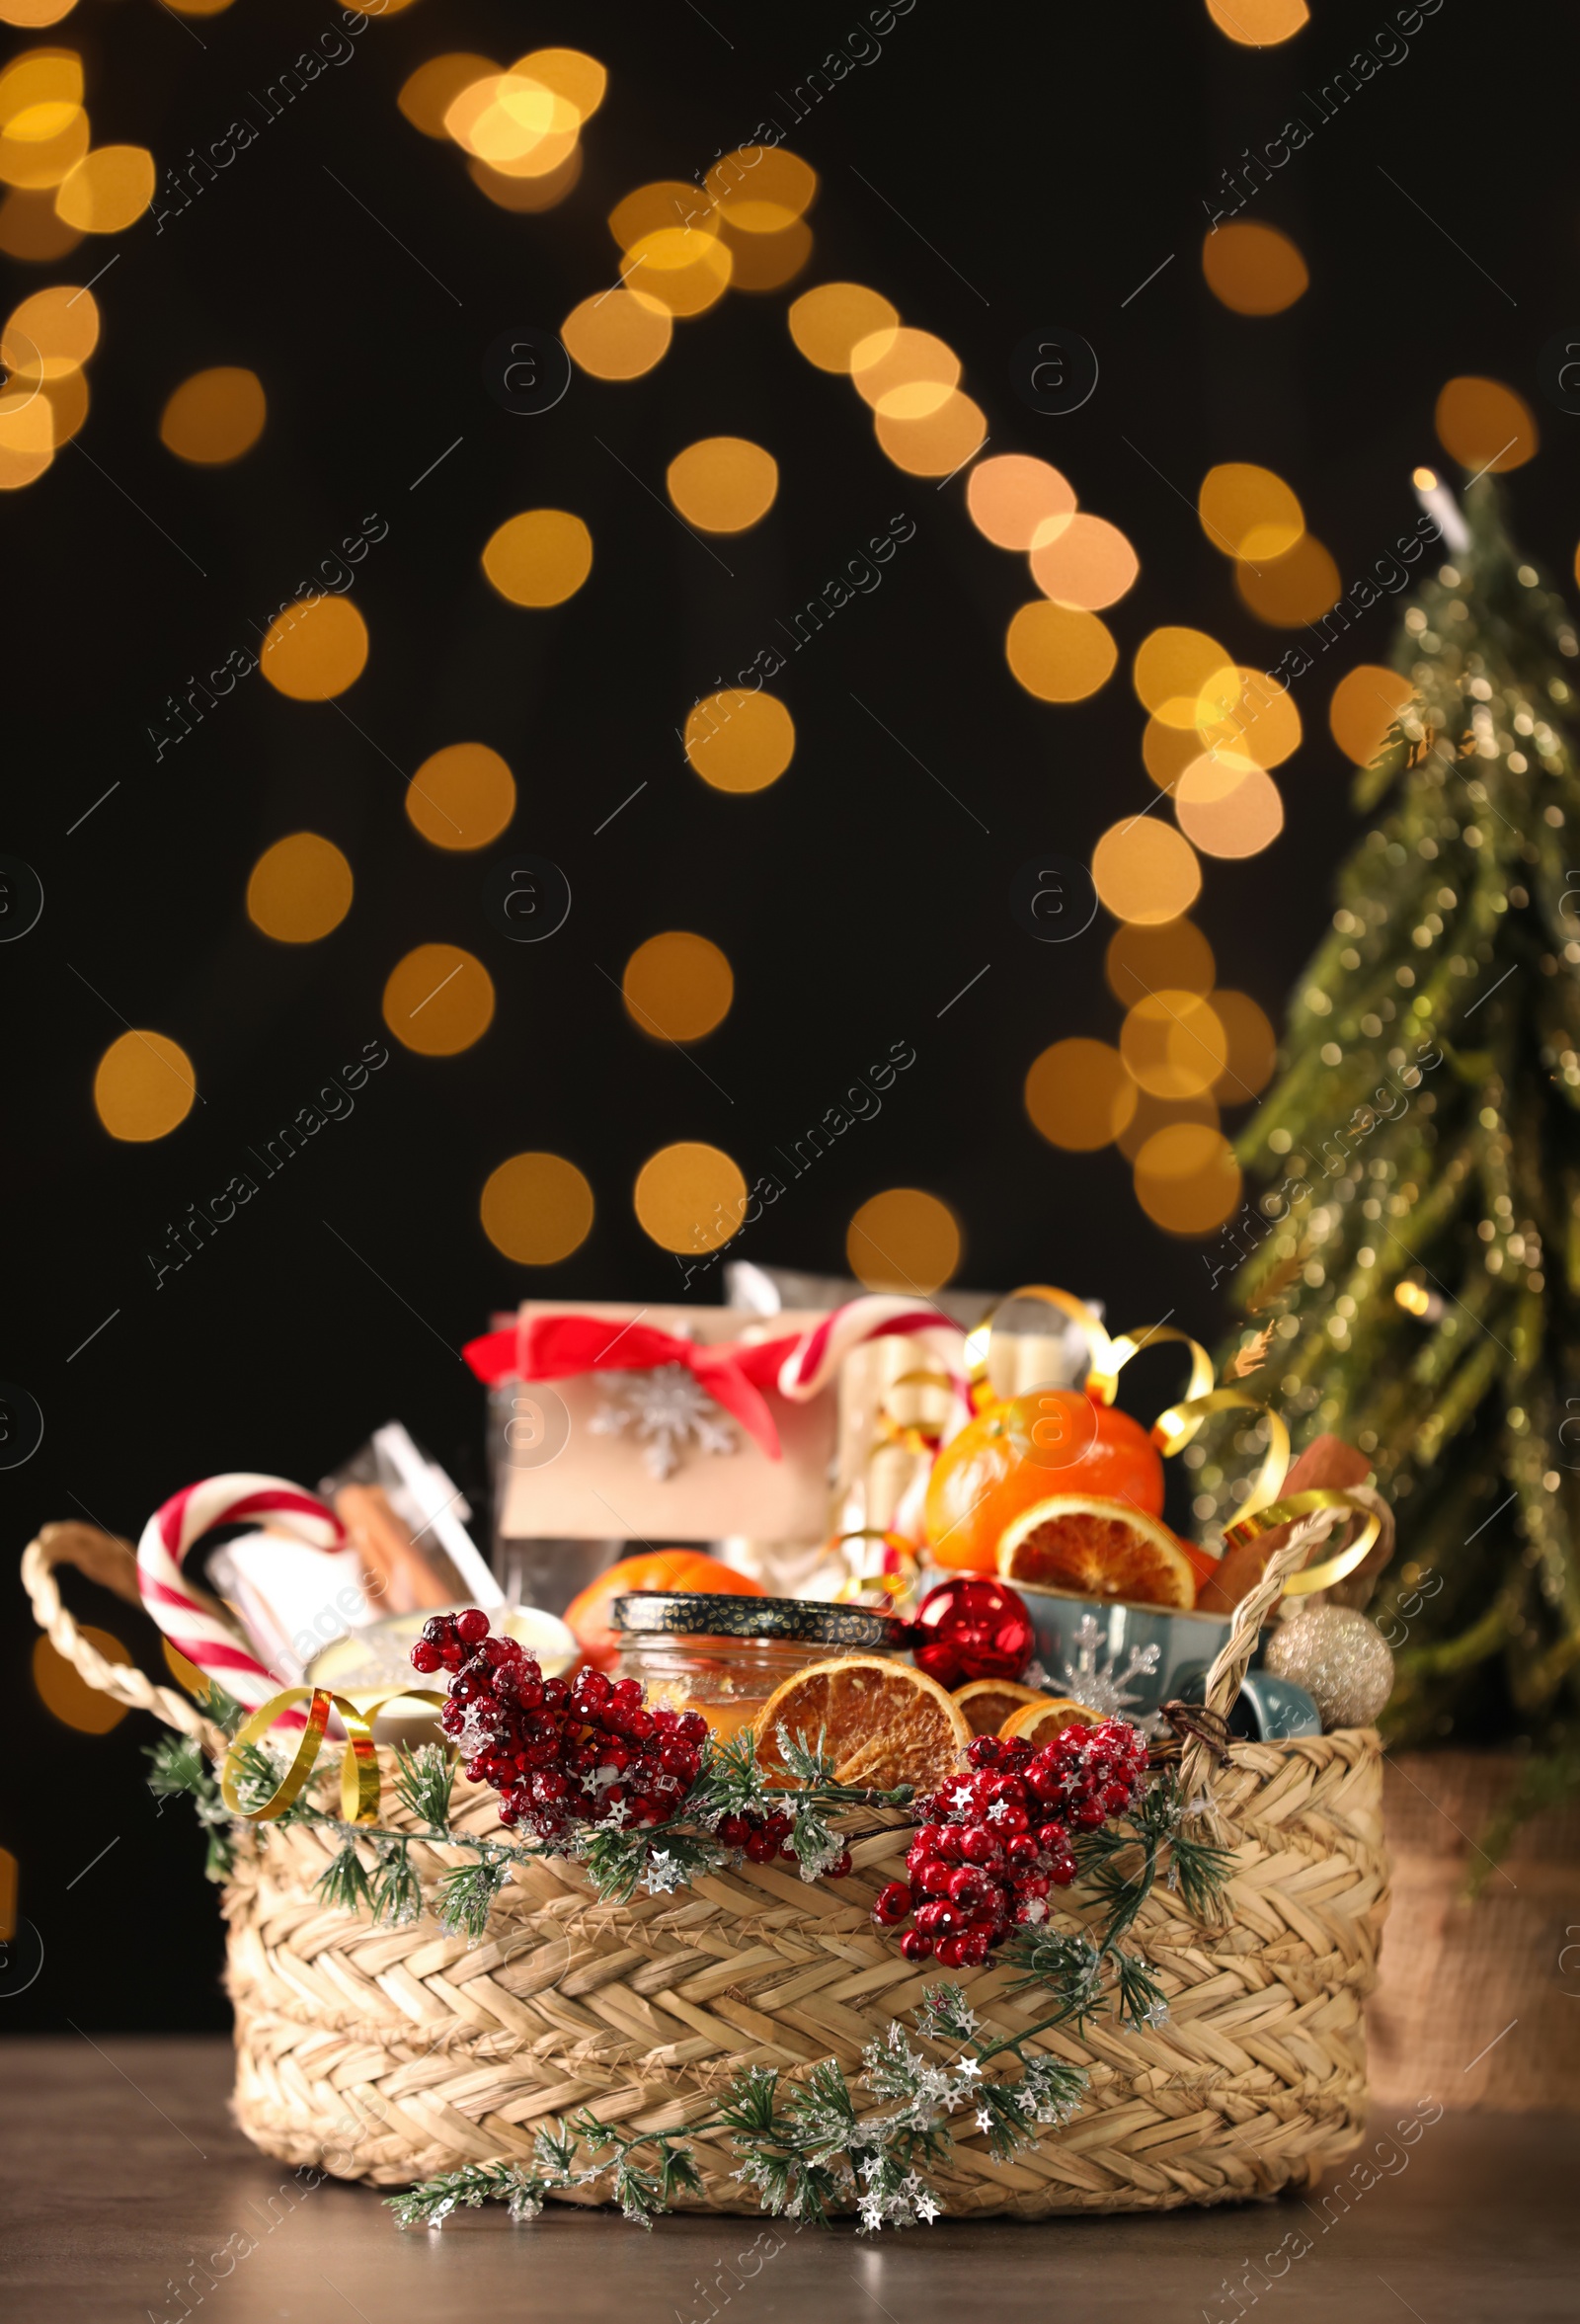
[(187, 1621)]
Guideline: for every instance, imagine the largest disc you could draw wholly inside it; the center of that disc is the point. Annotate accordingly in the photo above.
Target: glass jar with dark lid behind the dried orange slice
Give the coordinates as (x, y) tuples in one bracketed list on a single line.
[(724, 1656)]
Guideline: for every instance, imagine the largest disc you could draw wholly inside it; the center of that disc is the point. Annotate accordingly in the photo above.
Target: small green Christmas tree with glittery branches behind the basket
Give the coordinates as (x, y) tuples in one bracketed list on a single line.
[(1419, 1247)]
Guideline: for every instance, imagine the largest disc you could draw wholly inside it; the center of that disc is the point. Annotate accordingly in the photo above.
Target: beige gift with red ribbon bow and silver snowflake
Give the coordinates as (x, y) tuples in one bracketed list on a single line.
[(654, 1423)]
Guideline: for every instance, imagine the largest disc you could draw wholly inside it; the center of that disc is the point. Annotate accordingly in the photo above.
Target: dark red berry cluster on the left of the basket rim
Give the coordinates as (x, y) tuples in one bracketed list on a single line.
[(559, 1751)]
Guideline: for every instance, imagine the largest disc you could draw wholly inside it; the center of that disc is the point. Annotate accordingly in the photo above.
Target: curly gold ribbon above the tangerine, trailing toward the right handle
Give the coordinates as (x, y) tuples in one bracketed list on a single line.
[(1175, 1428)]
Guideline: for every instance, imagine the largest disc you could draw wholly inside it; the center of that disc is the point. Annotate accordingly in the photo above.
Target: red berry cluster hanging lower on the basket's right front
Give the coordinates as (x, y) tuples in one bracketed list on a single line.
[(1000, 1839)]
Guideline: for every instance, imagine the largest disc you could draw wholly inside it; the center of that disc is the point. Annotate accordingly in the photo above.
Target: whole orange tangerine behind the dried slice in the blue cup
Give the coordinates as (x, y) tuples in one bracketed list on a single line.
[(1019, 1451)]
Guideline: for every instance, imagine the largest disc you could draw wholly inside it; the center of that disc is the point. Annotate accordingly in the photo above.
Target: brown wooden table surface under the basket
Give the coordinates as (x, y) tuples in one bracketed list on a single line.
[(127, 2190)]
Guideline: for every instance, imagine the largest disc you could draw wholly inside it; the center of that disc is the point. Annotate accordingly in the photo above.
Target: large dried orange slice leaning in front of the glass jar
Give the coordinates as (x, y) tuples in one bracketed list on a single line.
[(882, 1723)]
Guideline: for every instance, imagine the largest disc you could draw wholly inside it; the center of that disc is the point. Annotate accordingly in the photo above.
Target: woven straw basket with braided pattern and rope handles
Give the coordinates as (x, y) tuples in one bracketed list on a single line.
[(396, 2053)]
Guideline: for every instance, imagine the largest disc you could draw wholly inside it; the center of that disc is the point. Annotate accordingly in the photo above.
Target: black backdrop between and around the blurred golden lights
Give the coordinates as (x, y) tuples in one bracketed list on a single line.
[(1054, 159)]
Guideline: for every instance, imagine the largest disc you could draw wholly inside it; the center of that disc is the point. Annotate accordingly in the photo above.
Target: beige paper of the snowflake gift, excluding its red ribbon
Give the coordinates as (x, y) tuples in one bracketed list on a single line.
[(598, 1482)]
